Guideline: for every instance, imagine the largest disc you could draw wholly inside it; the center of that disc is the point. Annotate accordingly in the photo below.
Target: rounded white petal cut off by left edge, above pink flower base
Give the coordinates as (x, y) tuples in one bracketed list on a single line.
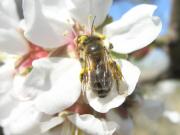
[(12, 42)]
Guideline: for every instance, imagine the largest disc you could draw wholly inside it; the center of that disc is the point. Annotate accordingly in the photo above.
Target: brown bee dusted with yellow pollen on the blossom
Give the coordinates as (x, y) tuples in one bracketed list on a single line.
[(99, 71)]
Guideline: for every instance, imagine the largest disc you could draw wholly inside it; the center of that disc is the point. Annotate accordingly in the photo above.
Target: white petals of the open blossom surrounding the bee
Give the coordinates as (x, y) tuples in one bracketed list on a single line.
[(60, 77)]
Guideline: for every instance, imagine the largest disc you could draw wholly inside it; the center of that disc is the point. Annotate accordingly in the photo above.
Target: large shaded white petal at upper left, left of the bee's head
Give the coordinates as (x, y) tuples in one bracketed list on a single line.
[(40, 29)]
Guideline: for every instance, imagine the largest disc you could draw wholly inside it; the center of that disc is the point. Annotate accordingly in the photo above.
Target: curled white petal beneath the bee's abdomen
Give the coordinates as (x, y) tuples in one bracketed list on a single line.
[(114, 98)]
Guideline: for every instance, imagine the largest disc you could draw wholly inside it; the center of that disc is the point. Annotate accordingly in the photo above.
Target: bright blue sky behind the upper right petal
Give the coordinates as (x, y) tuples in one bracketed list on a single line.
[(163, 10)]
